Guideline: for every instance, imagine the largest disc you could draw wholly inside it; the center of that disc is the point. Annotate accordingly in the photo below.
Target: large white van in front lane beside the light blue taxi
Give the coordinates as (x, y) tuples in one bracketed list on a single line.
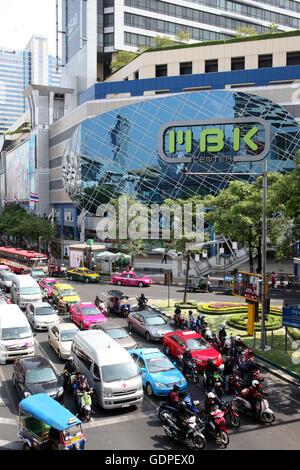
[(109, 369)]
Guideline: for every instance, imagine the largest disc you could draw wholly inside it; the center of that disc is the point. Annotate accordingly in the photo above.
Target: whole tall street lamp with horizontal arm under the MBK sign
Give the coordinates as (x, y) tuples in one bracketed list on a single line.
[(185, 171)]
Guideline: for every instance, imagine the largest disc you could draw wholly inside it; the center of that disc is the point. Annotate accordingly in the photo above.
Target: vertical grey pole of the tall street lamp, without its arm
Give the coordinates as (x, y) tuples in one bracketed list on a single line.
[(264, 236)]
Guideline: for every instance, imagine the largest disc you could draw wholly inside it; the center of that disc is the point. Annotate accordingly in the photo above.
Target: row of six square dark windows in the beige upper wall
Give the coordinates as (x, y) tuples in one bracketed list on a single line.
[(237, 63)]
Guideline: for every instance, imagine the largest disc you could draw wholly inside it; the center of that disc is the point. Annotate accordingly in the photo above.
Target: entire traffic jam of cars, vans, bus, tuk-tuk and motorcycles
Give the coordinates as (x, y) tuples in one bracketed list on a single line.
[(104, 365)]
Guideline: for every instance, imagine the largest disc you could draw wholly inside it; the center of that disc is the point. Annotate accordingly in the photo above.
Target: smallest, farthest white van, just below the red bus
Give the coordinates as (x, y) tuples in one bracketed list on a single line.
[(25, 290)]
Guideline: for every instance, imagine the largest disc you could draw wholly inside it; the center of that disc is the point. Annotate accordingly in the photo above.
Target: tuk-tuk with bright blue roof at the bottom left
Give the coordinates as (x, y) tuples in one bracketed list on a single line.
[(44, 424)]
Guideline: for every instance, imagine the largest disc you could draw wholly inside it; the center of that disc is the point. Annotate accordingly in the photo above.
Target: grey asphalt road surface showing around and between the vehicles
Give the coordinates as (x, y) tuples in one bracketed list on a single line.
[(139, 429)]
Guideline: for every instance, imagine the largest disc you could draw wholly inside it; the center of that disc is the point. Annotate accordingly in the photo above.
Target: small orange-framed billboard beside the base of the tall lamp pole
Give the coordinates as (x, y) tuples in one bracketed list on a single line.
[(247, 285)]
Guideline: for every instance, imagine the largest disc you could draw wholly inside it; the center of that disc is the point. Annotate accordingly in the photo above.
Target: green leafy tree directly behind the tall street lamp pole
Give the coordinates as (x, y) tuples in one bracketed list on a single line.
[(236, 212)]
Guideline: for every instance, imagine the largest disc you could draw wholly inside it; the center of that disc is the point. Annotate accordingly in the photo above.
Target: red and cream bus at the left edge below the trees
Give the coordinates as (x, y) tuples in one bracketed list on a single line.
[(19, 260)]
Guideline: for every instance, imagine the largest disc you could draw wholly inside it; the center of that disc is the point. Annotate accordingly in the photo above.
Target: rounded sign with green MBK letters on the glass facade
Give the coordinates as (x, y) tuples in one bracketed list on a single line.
[(244, 135)]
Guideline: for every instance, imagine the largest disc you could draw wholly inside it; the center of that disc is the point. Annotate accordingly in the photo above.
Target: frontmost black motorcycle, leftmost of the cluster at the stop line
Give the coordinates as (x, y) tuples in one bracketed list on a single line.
[(193, 431)]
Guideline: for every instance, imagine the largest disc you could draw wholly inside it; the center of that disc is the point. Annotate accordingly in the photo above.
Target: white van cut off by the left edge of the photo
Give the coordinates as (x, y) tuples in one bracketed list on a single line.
[(16, 337)]
